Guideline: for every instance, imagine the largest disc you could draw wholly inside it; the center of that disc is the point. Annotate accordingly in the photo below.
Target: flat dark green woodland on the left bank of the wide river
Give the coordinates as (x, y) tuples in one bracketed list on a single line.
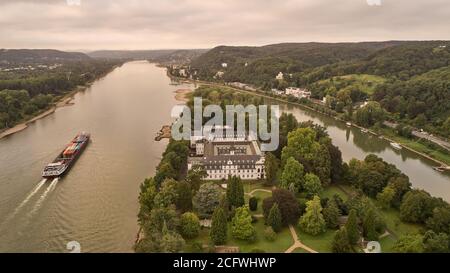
[(25, 92)]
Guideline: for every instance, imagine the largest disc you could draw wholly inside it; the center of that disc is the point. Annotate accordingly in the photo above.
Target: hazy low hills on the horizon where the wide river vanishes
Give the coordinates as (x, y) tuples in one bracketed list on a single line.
[(164, 55)]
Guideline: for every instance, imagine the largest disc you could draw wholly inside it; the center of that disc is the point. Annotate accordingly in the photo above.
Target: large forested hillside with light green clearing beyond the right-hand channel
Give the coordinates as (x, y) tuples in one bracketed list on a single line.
[(410, 80)]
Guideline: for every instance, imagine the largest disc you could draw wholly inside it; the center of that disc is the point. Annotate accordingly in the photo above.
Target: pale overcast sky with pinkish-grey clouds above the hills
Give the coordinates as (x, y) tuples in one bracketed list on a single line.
[(156, 24)]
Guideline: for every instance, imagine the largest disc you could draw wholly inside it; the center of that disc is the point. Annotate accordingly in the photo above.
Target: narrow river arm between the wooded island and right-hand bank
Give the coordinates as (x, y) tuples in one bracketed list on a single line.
[(355, 144)]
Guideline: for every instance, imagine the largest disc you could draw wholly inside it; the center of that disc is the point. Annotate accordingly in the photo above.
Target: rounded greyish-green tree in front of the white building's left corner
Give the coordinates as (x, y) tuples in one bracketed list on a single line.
[(207, 199)]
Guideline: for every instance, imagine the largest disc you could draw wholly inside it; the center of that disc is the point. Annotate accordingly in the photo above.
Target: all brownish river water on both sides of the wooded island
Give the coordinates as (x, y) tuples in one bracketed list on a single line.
[(96, 203)]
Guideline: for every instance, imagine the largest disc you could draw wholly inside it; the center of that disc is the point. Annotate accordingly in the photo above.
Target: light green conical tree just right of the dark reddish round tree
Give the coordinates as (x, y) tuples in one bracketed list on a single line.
[(312, 221)]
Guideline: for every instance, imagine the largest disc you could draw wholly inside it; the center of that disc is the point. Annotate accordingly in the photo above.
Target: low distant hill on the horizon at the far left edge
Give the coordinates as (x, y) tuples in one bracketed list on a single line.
[(39, 55)]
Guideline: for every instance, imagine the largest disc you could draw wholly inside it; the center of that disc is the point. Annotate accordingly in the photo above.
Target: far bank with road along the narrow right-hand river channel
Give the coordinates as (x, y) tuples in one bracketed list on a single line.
[(438, 161)]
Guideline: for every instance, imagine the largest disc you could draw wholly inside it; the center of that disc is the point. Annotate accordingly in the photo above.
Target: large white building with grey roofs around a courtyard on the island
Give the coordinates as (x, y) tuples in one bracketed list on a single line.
[(223, 156)]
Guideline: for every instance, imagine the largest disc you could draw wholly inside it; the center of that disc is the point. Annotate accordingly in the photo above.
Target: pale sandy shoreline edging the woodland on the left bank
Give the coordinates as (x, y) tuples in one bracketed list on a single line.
[(64, 101)]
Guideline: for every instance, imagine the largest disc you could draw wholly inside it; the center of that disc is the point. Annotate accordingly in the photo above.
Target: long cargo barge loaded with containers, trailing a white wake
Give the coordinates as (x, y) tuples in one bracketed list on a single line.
[(65, 160)]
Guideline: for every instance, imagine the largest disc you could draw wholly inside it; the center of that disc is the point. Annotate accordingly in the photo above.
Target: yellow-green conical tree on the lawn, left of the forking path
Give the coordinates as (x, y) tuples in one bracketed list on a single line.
[(241, 225)]
